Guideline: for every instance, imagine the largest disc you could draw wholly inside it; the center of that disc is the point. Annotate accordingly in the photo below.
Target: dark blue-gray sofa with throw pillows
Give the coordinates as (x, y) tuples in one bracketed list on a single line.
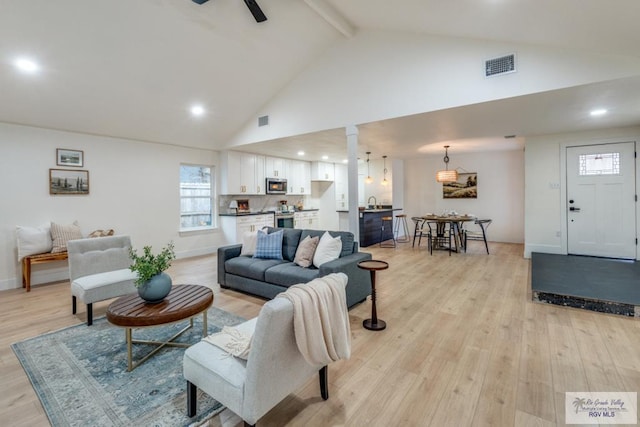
[(269, 277)]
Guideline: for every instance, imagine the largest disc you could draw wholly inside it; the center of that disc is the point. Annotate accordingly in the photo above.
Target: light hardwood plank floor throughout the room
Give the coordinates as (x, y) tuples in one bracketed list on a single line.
[(464, 346)]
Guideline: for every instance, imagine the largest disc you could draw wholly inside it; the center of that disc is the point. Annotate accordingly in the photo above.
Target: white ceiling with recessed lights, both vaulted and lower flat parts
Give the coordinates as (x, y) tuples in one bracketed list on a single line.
[(132, 69)]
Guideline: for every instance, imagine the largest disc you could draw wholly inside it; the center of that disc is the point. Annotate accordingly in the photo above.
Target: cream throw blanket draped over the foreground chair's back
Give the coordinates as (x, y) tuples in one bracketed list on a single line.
[(320, 319)]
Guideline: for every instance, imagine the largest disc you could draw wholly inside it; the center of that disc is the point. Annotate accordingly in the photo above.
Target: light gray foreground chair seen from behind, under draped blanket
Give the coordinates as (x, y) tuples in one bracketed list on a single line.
[(274, 369)]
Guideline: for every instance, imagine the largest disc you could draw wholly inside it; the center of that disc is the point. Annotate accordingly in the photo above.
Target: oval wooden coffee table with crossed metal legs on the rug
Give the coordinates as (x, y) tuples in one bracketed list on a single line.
[(183, 302)]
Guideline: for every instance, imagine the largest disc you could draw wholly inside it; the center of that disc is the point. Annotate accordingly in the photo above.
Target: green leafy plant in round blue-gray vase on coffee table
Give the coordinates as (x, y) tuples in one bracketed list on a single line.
[(153, 283)]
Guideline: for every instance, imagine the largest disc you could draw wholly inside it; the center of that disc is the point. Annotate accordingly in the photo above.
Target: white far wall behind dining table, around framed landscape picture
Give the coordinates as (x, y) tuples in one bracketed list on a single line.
[(501, 190)]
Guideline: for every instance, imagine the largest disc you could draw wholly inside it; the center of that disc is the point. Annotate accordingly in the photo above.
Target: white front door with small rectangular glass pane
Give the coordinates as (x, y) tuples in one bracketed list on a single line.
[(601, 205)]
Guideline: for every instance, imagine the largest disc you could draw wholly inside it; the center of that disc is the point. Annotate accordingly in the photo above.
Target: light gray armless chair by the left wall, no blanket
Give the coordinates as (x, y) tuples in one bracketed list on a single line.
[(99, 270)]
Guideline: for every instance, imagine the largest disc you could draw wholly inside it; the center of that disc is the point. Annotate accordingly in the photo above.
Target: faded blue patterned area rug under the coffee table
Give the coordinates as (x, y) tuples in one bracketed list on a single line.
[(80, 375)]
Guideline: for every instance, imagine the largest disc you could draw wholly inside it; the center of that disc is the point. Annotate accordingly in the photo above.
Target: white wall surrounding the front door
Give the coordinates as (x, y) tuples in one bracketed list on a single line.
[(544, 201)]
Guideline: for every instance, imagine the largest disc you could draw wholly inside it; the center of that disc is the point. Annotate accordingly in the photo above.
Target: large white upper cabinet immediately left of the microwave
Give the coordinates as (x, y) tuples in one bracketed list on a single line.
[(241, 173)]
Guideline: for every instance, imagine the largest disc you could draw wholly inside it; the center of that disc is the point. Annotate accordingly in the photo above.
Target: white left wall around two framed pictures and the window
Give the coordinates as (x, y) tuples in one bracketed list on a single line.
[(134, 189)]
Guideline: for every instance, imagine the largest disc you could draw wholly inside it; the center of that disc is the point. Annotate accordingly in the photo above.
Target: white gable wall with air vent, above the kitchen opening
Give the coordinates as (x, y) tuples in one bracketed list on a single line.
[(380, 75)]
